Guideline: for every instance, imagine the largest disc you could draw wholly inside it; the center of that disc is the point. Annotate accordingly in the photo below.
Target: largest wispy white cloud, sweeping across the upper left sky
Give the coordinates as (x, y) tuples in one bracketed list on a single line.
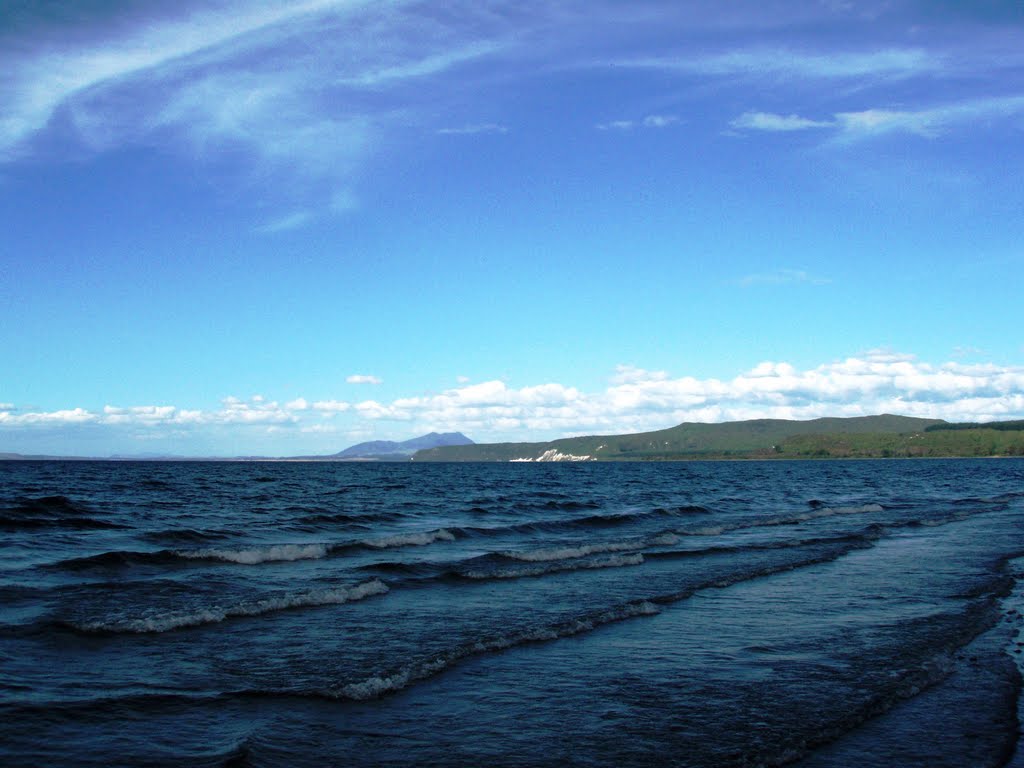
[(285, 95)]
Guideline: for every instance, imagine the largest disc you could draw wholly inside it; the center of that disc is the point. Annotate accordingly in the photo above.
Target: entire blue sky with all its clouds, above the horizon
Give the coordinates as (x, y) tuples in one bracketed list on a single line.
[(281, 228)]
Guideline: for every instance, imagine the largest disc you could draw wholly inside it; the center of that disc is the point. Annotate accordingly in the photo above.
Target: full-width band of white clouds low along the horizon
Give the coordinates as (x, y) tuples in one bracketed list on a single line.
[(636, 400)]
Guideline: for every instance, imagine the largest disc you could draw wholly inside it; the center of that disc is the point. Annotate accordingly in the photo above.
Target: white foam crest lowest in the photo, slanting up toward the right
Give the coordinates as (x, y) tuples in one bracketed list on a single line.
[(374, 688)]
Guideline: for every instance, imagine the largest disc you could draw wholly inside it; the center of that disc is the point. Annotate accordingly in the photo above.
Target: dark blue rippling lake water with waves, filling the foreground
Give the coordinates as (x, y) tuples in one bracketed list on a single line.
[(823, 614)]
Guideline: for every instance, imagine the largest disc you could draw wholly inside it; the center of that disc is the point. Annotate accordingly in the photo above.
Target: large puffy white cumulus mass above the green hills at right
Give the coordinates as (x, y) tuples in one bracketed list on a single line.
[(878, 381)]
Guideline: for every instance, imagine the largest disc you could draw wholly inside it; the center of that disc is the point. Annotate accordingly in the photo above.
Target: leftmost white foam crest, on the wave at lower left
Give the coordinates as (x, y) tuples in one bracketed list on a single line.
[(215, 615)]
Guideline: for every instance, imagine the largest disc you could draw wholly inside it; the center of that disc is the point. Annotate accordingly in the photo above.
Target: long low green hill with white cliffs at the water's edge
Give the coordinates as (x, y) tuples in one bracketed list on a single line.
[(866, 437)]
